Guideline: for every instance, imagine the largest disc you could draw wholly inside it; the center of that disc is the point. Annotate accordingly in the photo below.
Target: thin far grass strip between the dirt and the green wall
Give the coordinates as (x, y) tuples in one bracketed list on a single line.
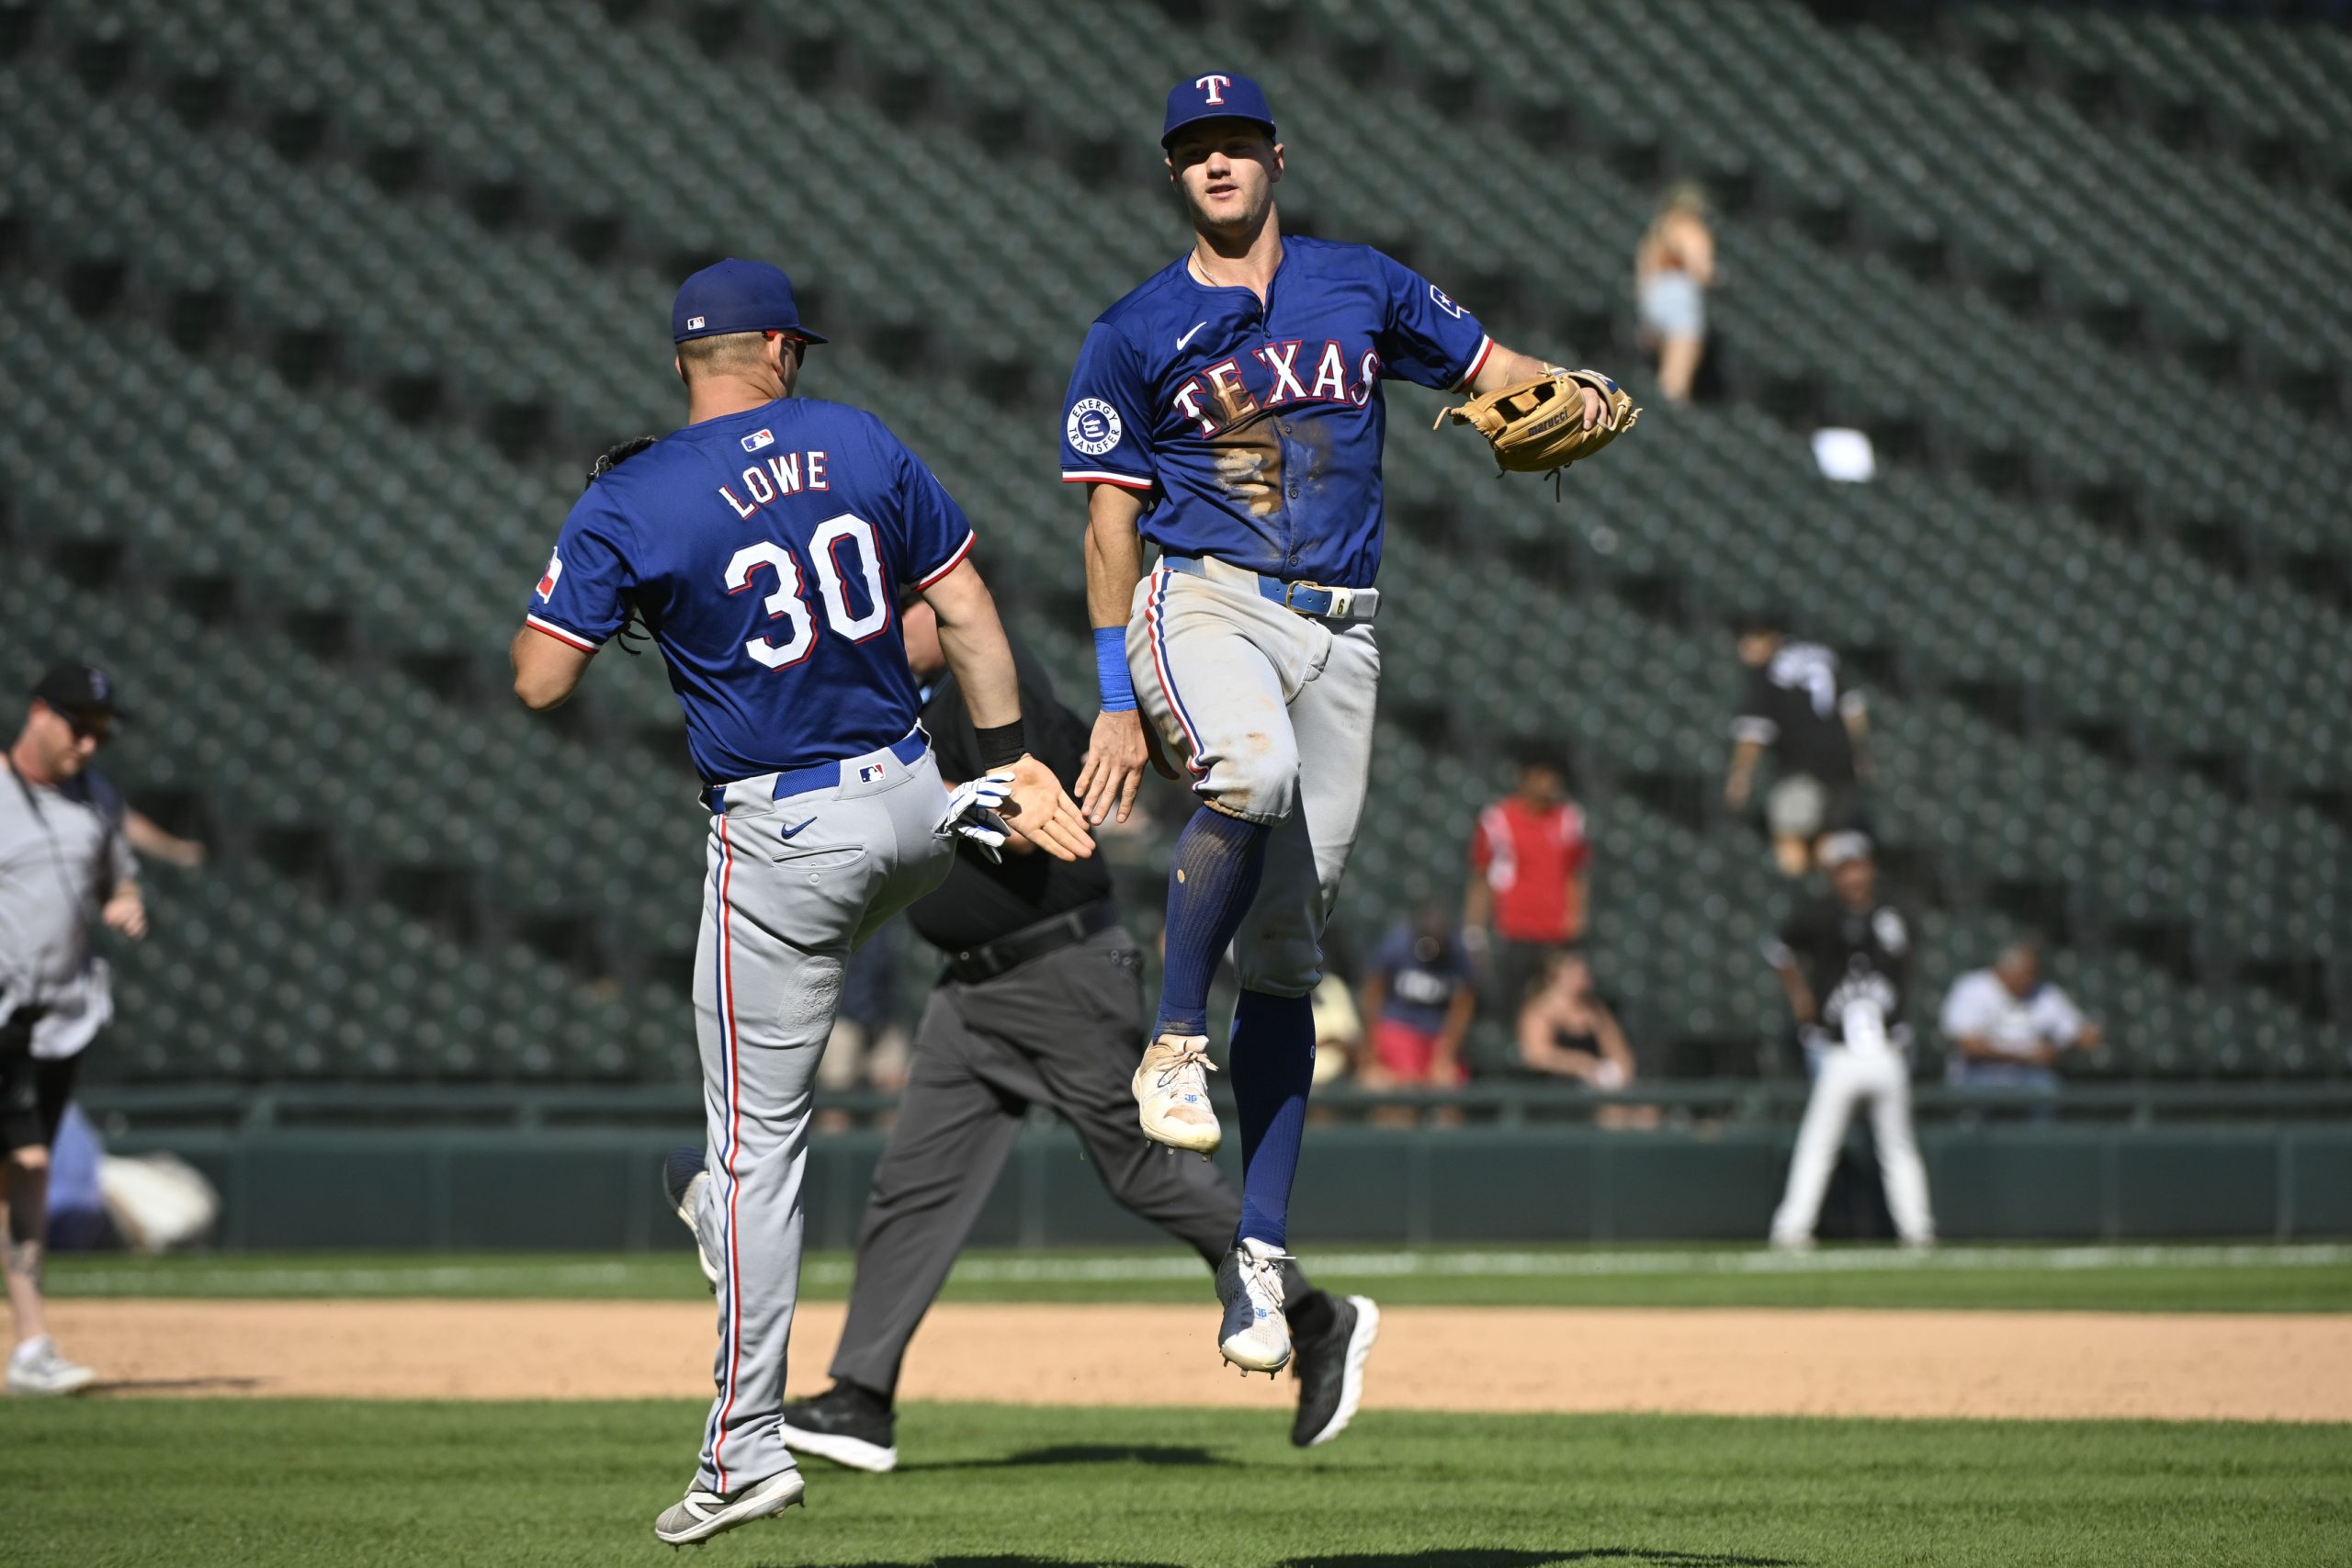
[(2313, 1278)]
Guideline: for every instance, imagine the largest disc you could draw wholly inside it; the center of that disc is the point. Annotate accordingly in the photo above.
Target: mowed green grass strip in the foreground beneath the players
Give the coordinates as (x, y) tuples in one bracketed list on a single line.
[(984, 1487)]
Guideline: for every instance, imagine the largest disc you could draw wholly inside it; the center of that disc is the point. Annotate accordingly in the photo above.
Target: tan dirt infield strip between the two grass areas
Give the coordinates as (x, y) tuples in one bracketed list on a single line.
[(1728, 1362)]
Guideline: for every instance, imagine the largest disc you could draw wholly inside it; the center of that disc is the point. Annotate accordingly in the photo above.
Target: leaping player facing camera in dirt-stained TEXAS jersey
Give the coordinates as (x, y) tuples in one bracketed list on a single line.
[(1231, 415)]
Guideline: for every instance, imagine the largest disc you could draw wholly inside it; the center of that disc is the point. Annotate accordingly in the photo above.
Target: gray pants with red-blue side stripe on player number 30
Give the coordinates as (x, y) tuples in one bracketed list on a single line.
[(794, 887)]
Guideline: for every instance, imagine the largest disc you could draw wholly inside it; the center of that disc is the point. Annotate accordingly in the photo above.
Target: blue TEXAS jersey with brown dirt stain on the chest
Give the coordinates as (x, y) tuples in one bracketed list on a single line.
[(1257, 429)]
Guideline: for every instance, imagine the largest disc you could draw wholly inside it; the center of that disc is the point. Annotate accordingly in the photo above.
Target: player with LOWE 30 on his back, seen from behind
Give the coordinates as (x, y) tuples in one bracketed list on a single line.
[(766, 547)]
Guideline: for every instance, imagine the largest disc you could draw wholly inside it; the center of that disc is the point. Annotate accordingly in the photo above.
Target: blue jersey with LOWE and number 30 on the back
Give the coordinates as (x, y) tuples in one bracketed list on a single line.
[(766, 554)]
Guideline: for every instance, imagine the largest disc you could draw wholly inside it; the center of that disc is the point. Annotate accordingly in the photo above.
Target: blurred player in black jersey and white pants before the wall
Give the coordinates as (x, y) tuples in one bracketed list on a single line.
[(1845, 965)]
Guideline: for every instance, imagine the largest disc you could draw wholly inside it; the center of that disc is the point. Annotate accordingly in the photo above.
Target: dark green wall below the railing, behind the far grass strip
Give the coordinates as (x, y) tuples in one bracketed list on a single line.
[(592, 1191)]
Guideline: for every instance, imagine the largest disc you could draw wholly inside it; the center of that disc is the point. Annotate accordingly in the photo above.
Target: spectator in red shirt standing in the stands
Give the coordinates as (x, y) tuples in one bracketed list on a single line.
[(1528, 880)]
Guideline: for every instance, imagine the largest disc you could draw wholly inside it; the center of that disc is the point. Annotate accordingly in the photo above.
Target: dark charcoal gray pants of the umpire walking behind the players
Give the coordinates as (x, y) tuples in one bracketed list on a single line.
[(1060, 1031)]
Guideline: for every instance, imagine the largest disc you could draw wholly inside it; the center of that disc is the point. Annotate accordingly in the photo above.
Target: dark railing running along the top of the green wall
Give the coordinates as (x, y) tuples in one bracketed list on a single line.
[(610, 1106)]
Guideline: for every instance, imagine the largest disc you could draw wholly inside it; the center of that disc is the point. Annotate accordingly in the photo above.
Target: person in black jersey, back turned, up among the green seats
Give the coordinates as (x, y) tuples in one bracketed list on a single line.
[(1798, 706)]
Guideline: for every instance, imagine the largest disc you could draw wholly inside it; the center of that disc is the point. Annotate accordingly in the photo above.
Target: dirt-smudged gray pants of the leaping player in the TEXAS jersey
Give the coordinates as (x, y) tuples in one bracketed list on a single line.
[(1271, 718)]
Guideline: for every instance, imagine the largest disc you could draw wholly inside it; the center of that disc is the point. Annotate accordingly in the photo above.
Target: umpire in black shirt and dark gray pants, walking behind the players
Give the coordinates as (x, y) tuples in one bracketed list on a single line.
[(1041, 1005)]
